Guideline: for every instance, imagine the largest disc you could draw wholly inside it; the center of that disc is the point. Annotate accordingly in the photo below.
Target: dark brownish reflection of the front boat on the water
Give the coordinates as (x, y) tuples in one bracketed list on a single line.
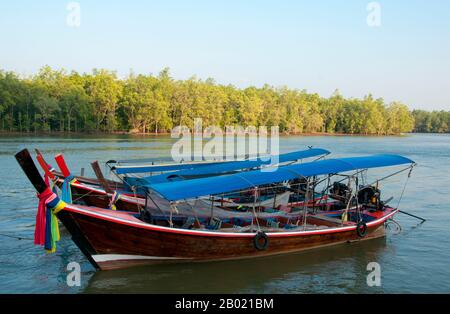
[(337, 269)]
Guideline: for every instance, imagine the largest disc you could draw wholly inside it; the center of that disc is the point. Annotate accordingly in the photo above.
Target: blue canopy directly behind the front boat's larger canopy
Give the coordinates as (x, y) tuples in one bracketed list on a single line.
[(231, 166)]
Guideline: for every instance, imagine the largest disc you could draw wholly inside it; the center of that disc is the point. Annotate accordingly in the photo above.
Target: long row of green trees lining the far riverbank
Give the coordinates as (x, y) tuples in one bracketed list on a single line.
[(57, 100)]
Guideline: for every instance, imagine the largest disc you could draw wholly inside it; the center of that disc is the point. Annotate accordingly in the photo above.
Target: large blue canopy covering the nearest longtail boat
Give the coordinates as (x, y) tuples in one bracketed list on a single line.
[(179, 190)]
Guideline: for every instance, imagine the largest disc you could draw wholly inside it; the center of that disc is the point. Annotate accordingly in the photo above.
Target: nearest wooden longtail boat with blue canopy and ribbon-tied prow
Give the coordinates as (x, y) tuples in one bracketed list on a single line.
[(117, 239)]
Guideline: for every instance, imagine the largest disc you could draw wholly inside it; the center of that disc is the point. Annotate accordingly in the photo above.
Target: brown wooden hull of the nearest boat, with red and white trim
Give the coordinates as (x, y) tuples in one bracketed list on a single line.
[(112, 240)]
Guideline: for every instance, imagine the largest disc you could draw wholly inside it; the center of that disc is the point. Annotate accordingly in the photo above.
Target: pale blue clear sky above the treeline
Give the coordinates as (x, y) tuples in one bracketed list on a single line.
[(319, 45)]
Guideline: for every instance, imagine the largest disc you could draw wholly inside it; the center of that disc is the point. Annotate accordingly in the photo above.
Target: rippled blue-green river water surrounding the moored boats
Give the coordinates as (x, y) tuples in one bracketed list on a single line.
[(416, 260)]
